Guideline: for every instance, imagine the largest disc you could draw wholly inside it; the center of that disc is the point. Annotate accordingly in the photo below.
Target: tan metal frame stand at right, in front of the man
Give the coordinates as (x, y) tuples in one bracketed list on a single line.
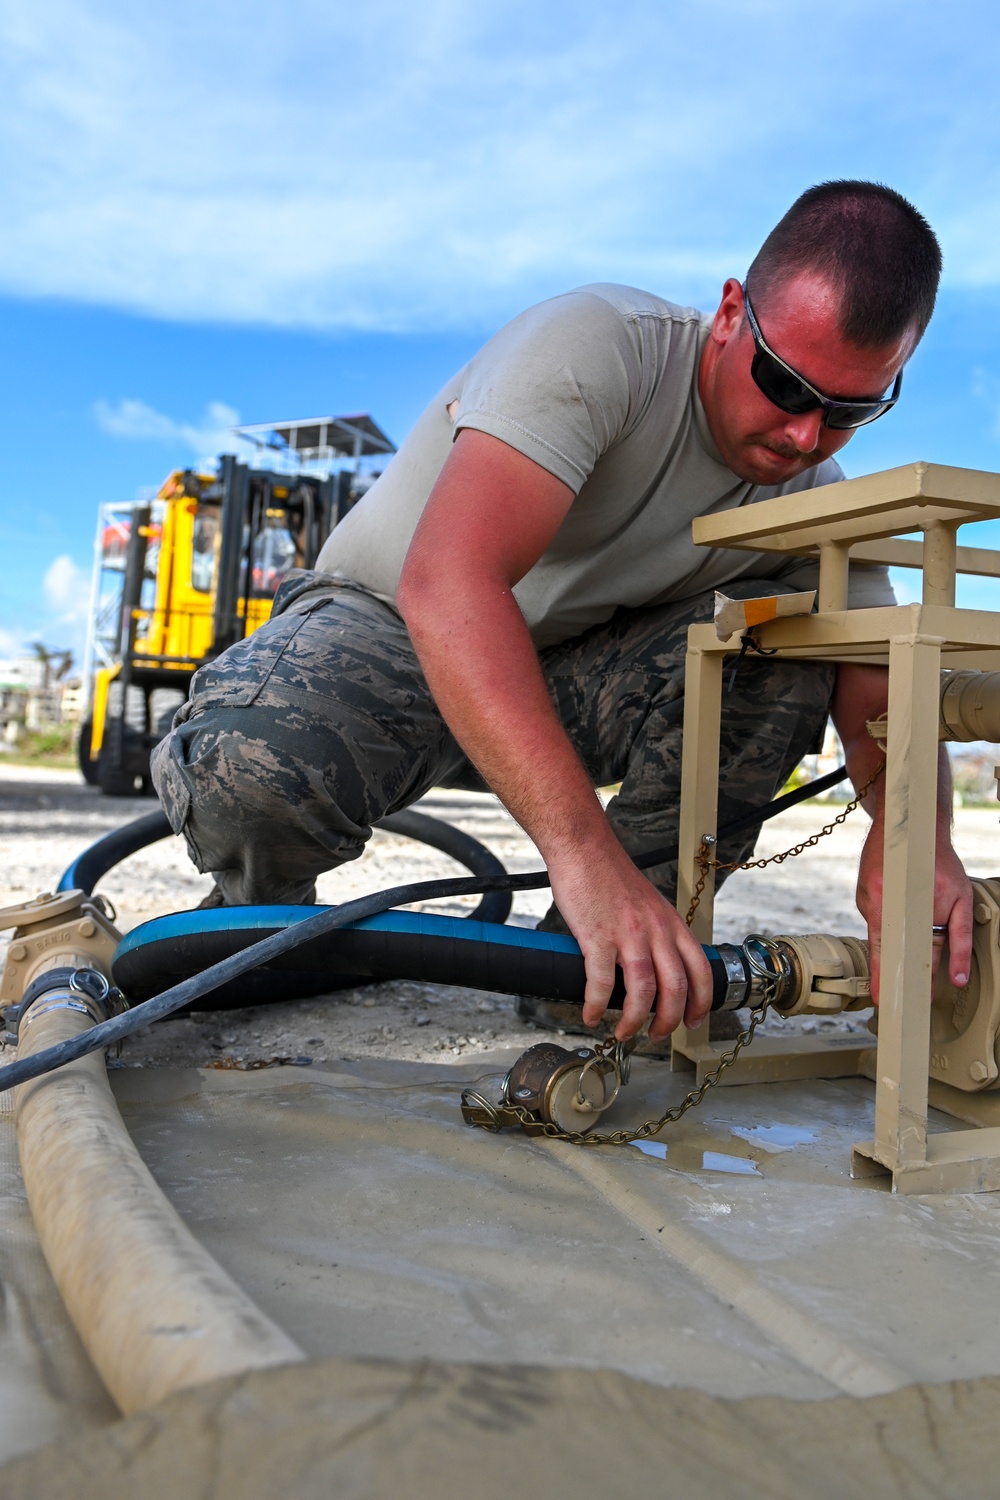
[(914, 641)]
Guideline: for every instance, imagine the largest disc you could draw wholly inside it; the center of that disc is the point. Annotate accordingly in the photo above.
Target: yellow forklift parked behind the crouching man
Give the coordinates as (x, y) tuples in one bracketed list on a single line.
[(199, 568)]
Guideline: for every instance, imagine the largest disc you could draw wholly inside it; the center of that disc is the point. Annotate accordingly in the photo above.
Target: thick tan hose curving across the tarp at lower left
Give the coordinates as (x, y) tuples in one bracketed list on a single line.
[(152, 1307)]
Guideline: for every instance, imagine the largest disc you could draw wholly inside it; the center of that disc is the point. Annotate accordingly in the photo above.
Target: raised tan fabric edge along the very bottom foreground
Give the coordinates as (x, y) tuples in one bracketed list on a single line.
[(365, 1430)]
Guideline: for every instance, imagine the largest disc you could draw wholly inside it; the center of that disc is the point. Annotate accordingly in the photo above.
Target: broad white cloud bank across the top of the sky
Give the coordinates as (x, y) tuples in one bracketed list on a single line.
[(443, 164)]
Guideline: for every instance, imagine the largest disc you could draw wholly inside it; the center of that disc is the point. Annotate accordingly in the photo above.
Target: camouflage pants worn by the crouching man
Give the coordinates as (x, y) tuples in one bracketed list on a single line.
[(320, 724)]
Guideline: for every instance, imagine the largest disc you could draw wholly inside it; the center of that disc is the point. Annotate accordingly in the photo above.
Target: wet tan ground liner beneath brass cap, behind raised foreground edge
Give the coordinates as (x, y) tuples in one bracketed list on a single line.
[(371, 1223)]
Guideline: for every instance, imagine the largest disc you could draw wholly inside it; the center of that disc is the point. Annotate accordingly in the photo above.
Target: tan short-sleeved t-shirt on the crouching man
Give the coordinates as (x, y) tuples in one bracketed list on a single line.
[(599, 388)]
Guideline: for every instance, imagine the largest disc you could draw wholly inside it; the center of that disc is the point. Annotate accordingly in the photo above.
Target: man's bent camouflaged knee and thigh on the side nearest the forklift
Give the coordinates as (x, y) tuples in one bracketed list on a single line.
[(298, 740)]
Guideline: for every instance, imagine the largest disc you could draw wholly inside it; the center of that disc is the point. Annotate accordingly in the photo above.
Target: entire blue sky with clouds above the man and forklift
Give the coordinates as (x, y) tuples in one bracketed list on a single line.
[(218, 212)]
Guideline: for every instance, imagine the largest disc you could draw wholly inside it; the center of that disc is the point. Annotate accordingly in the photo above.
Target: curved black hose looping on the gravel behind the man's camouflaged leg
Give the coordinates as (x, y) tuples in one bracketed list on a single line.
[(94, 863)]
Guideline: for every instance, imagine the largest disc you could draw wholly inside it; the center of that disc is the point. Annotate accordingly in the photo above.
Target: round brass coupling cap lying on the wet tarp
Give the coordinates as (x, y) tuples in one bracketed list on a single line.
[(554, 1087)]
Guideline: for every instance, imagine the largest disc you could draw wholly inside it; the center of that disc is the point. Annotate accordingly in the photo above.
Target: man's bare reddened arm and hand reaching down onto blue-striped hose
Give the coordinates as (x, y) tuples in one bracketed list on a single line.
[(487, 680)]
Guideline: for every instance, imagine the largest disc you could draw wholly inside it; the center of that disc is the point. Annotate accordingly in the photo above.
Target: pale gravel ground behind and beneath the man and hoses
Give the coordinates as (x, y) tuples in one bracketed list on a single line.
[(49, 817)]
